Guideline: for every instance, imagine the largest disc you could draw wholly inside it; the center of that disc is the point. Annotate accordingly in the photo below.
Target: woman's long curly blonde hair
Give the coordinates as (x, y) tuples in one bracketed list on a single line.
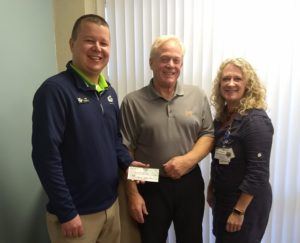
[(255, 93)]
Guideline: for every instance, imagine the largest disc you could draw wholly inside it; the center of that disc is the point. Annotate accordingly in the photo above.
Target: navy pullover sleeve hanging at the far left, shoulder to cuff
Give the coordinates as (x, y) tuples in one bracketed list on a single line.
[(48, 125)]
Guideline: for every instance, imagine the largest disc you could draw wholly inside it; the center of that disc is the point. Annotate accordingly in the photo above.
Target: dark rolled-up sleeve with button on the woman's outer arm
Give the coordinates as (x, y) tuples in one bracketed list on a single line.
[(257, 142)]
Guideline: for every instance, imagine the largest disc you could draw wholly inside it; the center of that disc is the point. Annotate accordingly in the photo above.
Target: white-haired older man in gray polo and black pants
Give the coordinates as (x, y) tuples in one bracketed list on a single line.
[(169, 126)]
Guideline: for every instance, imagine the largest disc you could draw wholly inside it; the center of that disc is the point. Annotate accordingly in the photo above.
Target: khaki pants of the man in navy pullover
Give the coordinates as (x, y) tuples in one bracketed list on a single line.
[(102, 227)]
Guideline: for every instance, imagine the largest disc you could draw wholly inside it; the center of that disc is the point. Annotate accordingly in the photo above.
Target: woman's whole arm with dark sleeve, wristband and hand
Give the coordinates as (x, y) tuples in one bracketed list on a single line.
[(258, 134)]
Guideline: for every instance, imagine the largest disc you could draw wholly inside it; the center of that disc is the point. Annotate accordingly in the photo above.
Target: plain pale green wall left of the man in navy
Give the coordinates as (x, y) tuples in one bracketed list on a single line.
[(27, 58)]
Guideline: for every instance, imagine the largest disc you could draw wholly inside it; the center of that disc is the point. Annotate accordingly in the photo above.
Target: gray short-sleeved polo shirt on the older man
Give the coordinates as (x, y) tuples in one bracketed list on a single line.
[(157, 129)]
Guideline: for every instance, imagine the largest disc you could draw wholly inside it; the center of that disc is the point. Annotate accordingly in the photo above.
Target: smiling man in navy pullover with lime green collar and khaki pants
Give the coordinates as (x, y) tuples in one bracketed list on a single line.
[(77, 146)]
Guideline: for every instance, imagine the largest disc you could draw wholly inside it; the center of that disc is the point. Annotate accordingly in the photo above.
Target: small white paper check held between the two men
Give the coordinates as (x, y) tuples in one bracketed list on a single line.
[(143, 174)]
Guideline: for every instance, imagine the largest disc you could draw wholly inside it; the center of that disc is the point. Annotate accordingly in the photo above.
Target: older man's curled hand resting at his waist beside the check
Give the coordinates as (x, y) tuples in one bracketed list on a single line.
[(177, 167)]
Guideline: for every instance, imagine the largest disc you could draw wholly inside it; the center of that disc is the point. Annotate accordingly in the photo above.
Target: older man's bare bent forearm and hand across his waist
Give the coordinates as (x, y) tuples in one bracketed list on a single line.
[(181, 165)]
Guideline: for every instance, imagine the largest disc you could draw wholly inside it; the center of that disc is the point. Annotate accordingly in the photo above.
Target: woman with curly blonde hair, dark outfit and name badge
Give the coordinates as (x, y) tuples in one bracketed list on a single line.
[(239, 191)]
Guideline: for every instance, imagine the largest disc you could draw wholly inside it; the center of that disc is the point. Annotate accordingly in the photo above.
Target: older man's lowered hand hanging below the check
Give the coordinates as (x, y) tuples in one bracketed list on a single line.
[(137, 207)]
